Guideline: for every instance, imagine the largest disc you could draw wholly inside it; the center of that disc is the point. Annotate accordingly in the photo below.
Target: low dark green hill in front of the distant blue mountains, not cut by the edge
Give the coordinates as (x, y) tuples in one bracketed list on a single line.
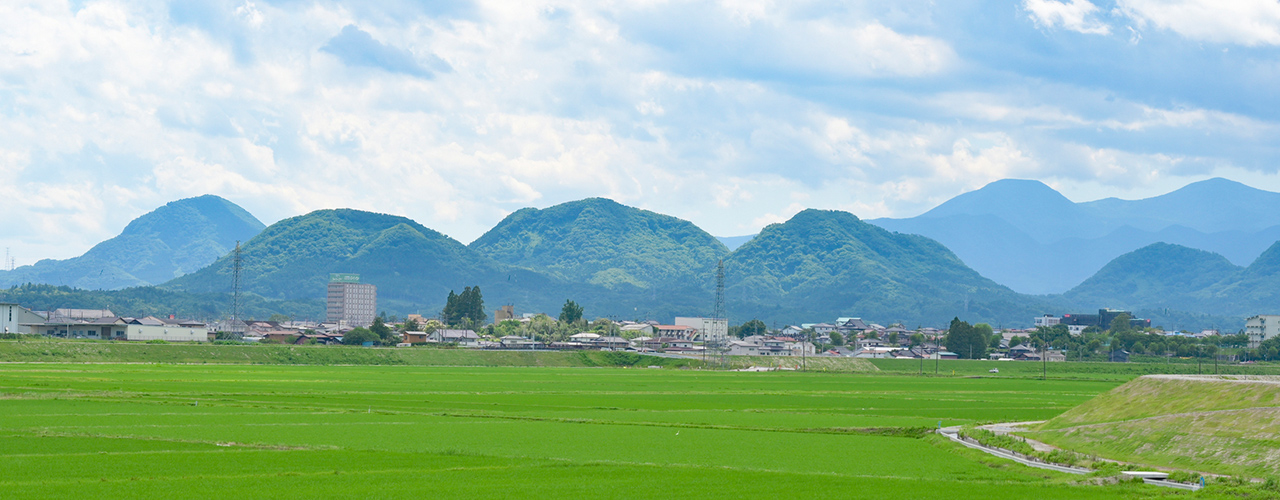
[(1153, 277)]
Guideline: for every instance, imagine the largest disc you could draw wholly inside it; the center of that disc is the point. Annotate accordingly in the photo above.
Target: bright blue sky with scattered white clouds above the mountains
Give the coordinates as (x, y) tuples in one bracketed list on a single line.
[(730, 114)]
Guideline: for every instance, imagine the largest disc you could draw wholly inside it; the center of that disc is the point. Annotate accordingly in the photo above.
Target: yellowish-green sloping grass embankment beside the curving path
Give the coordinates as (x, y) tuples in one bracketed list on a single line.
[(1227, 425)]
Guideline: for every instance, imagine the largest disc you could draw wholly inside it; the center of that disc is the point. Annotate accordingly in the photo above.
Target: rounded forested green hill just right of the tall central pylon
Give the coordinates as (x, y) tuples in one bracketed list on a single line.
[(829, 264)]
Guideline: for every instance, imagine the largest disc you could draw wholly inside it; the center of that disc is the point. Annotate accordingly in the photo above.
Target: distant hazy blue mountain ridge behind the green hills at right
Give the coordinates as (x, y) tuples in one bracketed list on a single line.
[(1028, 237)]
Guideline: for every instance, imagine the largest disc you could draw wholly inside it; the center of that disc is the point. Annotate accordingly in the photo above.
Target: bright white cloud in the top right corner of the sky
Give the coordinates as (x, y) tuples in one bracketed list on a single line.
[(1242, 22)]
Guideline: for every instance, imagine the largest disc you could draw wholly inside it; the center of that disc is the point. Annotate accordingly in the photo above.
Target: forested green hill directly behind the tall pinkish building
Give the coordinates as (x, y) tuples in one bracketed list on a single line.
[(414, 268)]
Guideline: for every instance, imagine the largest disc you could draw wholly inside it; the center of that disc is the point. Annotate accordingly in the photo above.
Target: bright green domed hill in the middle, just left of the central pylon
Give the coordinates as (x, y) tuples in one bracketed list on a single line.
[(605, 244)]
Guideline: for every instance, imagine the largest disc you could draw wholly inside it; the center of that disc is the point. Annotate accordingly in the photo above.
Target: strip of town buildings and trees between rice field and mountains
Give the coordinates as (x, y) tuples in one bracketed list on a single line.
[(351, 320)]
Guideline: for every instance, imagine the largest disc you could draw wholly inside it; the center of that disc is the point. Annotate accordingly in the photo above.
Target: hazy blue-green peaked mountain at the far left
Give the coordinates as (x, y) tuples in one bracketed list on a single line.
[(172, 241)]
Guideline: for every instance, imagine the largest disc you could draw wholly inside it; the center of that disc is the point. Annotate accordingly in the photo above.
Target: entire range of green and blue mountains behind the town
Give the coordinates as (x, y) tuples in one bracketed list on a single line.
[(627, 263)]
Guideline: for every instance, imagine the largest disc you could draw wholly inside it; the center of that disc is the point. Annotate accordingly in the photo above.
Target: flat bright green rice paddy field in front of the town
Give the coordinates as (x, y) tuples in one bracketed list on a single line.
[(409, 432)]
